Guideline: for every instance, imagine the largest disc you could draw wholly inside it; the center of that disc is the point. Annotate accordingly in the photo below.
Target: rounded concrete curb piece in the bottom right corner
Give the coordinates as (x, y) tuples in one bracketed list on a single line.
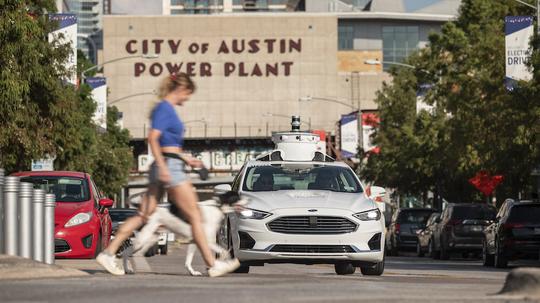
[(522, 281)]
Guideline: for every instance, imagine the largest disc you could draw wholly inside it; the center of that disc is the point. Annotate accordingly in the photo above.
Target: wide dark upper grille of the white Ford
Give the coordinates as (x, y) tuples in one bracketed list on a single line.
[(316, 225)]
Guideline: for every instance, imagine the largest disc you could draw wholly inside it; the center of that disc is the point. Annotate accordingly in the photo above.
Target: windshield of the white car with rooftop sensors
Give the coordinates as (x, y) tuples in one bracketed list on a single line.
[(301, 177)]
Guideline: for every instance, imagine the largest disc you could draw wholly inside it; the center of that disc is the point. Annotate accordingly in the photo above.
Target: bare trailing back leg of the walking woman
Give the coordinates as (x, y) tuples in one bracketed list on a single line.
[(148, 204)]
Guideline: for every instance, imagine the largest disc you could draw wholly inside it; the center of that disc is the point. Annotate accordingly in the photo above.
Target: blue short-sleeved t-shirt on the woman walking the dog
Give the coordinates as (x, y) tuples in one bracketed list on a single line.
[(165, 119)]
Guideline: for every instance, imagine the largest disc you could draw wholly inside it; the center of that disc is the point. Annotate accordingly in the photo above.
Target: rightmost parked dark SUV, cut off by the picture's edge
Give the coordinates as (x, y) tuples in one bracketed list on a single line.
[(514, 234)]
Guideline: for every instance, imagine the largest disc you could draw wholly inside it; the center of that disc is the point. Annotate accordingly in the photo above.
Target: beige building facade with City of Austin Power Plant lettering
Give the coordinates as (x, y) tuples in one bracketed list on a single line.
[(254, 70)]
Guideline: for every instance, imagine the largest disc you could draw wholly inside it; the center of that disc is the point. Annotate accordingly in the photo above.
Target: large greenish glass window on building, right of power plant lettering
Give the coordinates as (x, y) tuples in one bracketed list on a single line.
[(399, 42)]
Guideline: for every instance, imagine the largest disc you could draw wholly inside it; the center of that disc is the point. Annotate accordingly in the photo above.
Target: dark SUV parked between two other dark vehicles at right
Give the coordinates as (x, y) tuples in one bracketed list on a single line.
[(461, 229)]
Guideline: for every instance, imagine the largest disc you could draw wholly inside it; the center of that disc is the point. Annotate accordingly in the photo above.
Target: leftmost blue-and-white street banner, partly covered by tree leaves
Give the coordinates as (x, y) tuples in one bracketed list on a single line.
[(67, 33)]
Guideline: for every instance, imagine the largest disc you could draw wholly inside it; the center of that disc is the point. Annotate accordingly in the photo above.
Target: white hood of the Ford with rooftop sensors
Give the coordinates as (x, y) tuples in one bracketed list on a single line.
[(270, 201)]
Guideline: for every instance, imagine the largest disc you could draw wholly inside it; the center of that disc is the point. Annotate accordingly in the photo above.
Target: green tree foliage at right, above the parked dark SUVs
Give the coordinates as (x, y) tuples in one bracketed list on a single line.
[(476, 125)]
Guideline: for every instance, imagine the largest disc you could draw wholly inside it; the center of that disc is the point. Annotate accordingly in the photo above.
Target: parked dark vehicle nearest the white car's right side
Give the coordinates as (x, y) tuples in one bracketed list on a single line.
[(403, 227)]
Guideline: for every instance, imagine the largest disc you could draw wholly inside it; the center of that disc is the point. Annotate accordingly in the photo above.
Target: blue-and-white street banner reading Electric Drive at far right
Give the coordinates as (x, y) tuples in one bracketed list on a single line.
[(519, 30)]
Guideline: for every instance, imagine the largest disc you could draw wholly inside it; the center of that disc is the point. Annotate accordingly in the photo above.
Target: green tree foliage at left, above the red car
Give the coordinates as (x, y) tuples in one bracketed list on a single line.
[(42, 115)]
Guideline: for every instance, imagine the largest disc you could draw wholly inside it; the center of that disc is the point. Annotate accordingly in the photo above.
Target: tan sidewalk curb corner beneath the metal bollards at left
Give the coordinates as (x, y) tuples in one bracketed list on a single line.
[(17, 268)]
